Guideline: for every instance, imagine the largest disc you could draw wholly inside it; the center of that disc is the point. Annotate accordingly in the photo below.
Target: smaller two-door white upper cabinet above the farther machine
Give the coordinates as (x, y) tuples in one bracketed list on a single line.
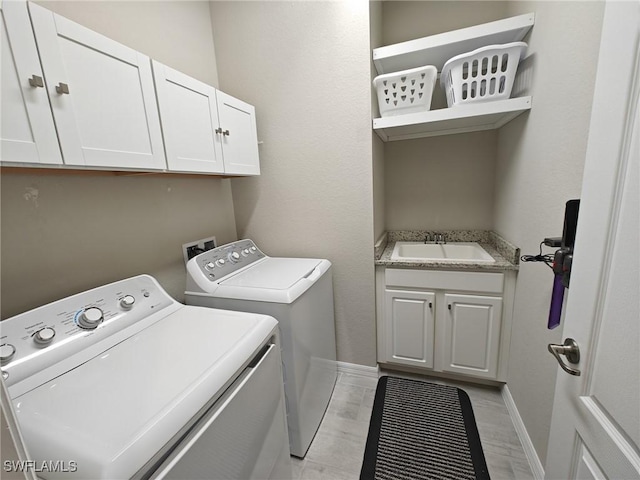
[(204, 129)]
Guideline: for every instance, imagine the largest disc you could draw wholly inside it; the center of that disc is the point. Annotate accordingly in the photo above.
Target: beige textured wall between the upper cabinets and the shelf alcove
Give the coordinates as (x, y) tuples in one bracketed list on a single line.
[(306, 68)]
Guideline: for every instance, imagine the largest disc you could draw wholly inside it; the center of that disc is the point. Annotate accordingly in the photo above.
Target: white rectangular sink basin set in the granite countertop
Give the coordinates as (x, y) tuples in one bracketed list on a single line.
[(449, 252)]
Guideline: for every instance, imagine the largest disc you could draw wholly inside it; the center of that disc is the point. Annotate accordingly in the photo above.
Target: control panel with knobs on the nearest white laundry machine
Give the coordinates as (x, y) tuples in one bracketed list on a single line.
[(36, 339)]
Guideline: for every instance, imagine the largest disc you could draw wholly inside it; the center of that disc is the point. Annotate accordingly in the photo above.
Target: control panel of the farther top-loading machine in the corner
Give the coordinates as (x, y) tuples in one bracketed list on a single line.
[(225, 259)]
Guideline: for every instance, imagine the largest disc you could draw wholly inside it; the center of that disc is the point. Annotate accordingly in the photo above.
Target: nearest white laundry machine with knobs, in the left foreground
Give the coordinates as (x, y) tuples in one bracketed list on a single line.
[(124, 382)]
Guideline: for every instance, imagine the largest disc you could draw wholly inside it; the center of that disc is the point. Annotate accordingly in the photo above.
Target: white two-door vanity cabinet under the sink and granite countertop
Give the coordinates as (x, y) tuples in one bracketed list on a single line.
[(451, 322)]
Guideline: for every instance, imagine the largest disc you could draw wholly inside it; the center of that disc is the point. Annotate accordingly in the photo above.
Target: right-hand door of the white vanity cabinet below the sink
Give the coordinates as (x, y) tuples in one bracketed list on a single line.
[(472, 335)]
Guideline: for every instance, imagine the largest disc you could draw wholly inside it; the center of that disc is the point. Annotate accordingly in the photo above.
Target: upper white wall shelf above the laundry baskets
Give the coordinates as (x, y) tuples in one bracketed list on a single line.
[(437, 49)]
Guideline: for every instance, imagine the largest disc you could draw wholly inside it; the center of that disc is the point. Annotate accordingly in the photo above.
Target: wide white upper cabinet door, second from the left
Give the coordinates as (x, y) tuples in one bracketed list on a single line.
[(101, 94)]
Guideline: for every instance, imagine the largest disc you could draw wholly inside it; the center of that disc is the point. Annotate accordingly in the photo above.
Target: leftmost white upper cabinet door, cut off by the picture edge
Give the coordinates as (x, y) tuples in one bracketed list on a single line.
[(28, 133)]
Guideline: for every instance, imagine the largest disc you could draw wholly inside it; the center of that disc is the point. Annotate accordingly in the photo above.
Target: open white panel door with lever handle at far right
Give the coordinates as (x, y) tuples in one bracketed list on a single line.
[(595, 430)]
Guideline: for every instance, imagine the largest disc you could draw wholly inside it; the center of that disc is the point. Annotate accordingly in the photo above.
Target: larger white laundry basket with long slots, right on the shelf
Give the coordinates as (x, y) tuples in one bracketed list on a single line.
[(482, 75)]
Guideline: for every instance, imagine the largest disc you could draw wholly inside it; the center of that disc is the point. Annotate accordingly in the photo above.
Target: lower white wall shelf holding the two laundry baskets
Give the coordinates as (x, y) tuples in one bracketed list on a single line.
[(446, 121)]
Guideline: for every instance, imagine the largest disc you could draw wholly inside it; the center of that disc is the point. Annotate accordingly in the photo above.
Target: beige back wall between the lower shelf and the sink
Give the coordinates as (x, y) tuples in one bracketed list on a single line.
[(441, 183)]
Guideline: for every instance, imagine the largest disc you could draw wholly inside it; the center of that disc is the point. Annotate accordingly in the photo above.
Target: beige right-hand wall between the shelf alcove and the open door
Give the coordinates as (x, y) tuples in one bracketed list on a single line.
[(539, 168)]
